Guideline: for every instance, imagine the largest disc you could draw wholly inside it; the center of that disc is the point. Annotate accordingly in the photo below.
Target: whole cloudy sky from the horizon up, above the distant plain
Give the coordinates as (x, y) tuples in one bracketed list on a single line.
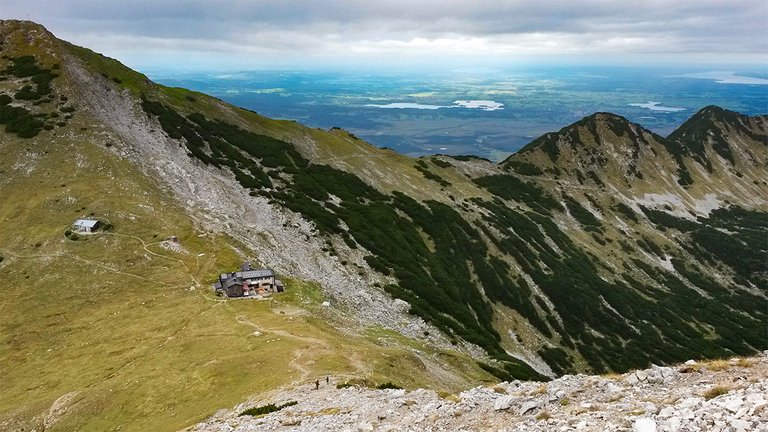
[(225, 34)]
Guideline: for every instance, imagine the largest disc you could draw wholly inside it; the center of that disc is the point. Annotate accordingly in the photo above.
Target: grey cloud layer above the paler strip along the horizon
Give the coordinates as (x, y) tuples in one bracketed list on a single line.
[(710, 26)]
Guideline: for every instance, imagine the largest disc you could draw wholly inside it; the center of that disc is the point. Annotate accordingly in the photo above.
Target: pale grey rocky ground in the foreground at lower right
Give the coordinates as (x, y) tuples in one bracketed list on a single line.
[(686, 398)]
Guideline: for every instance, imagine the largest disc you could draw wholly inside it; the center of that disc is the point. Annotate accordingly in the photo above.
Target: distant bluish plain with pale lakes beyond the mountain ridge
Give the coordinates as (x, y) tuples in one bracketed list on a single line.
[(488, 113)]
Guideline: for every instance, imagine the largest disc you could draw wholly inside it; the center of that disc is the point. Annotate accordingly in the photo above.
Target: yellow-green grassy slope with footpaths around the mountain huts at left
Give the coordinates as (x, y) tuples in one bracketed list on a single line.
[(110, 319)]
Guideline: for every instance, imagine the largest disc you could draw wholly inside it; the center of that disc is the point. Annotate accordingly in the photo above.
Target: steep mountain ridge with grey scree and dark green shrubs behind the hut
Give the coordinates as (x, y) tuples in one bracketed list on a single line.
[(599, 247)]
